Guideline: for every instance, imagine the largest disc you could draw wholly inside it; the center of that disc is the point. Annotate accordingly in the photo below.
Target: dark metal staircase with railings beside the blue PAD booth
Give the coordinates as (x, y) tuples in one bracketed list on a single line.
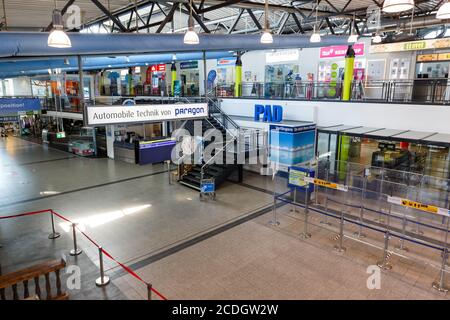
[(192, 176)]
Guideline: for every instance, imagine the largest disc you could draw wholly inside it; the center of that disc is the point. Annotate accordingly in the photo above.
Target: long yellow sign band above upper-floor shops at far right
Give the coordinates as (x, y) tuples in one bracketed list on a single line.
[(411, 45)]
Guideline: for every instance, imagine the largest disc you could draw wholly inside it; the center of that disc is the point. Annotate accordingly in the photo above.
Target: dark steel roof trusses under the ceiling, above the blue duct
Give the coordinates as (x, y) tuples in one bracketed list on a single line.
[(245, 16)]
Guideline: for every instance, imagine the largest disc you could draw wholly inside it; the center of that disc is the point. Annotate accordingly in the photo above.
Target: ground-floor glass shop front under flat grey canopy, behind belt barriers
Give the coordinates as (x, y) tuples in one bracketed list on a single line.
[(418, 152)]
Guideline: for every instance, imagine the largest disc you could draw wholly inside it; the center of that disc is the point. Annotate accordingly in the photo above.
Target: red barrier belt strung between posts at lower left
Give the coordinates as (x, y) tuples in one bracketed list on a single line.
[(127, 269)]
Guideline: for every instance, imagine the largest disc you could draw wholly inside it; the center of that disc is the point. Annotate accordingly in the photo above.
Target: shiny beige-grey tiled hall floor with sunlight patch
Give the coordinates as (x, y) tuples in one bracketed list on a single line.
[(134, 213)]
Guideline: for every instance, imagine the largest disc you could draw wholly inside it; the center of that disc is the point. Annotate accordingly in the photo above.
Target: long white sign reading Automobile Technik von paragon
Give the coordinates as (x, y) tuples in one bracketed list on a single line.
[(145, 113)]
